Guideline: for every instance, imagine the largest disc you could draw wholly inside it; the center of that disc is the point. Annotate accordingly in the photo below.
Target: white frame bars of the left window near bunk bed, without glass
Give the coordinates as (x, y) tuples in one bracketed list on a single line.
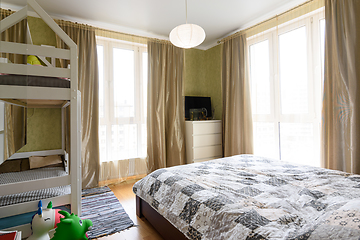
[(108, 118)]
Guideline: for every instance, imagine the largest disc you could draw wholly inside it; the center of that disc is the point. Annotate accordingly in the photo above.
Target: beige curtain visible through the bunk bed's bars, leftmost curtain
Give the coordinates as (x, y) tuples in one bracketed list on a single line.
[(15, 116)]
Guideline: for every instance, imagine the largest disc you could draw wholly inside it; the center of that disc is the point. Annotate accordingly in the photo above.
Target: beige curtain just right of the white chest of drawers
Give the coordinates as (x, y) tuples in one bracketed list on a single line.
[(237, 118)]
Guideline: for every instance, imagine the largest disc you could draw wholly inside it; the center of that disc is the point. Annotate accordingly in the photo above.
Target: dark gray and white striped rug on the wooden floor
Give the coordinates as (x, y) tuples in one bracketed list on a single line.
[(105, 211)]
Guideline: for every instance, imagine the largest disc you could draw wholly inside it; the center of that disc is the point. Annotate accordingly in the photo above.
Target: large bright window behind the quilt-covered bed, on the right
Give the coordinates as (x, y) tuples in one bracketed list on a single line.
[(286, 80)]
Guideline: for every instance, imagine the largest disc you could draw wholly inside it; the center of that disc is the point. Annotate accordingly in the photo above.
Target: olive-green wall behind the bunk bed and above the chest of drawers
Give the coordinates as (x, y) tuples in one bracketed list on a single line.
[(202, 77)]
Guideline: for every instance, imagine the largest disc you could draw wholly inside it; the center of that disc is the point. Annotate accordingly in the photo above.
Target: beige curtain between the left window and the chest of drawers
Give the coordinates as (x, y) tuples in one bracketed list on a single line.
[(165, 109)]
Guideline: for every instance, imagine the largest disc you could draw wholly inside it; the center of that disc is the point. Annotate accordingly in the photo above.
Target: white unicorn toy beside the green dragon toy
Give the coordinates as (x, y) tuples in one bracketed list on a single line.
[(43, 221)]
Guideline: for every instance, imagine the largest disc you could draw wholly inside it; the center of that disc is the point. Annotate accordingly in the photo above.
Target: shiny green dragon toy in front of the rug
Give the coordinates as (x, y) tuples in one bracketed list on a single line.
[(71, 227)]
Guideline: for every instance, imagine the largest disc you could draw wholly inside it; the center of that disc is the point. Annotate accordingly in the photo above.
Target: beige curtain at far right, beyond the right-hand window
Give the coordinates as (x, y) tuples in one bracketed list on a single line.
[(341, 104)]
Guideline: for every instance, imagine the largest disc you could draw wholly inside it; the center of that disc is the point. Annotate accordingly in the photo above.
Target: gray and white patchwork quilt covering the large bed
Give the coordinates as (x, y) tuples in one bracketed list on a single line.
[(249, 197)]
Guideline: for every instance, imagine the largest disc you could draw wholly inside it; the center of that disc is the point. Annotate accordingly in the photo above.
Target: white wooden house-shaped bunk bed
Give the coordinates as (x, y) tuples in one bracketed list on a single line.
[(42, 86)]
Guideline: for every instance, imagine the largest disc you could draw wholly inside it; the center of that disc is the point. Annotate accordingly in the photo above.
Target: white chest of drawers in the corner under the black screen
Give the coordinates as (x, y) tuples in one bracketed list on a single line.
[(203, 140)]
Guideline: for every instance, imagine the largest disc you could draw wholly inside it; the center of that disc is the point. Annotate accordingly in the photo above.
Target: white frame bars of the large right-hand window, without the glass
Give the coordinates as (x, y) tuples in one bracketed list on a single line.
[(314, 67)]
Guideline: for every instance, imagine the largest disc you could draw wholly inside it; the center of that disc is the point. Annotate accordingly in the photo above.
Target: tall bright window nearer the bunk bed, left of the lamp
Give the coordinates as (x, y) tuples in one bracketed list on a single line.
[(122, 99)]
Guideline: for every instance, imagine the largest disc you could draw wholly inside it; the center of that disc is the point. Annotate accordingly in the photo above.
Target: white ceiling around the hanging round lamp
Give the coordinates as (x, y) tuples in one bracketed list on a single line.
[(156, 18)]
